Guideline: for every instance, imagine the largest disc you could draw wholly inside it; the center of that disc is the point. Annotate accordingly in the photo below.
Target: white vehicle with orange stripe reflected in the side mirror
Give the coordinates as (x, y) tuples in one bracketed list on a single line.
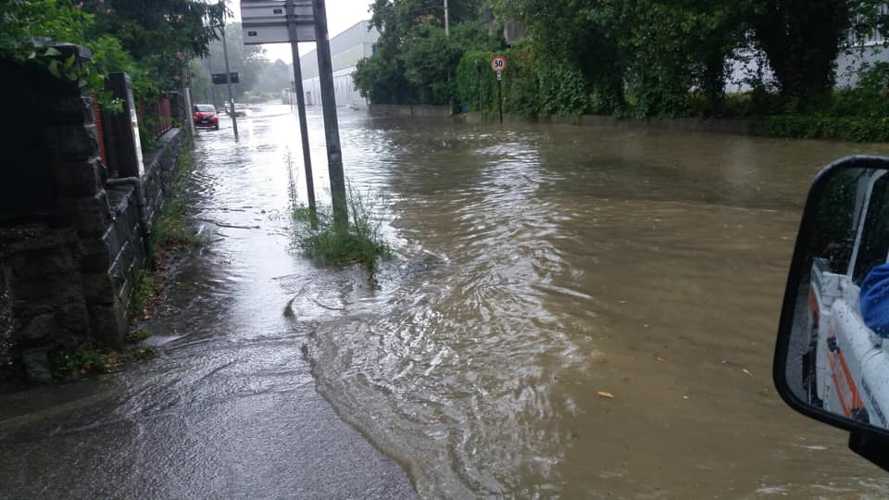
[(846, 368)]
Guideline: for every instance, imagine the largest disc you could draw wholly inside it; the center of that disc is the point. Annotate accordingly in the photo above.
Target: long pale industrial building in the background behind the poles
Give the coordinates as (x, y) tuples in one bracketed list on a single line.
[(346, 49)]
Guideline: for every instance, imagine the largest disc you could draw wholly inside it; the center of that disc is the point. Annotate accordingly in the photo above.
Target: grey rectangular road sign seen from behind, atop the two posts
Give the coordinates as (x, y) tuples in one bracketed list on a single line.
[(266, 21)]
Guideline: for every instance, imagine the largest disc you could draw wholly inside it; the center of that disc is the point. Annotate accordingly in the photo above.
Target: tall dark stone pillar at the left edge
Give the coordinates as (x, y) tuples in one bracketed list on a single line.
[(54, 254)]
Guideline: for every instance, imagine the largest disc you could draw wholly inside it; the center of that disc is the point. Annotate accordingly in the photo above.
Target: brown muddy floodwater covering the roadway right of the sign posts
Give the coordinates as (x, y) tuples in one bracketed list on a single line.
[(542, 265)]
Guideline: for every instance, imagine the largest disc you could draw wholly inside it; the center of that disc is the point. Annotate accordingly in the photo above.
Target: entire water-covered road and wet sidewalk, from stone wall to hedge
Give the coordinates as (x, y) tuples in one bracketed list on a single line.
[(575, 312)]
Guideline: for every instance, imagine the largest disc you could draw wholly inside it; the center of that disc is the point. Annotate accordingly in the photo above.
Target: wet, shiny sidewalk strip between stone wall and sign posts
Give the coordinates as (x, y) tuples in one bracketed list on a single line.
[(229, 409)]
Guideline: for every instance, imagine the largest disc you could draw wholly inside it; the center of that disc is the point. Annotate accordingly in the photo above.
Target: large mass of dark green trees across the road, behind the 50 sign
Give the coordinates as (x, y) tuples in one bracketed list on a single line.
[(637, 58)]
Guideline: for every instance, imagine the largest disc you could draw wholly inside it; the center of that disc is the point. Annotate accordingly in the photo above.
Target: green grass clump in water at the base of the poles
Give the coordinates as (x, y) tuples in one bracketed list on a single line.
[(360, 242)]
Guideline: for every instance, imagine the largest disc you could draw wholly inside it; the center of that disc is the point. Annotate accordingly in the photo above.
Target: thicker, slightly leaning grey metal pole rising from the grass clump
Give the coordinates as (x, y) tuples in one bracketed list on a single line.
[(331, 125)]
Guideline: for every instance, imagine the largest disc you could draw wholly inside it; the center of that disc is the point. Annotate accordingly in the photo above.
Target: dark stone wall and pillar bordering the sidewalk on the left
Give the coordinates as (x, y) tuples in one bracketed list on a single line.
[(72, 237)]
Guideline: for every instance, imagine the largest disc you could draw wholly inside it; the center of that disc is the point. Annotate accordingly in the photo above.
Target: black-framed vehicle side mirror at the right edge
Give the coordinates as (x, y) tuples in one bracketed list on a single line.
[(832, 354)]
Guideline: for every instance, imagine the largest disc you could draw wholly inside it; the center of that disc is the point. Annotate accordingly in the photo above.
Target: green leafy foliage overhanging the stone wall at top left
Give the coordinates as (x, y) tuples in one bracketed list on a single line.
[(150, 40)]
